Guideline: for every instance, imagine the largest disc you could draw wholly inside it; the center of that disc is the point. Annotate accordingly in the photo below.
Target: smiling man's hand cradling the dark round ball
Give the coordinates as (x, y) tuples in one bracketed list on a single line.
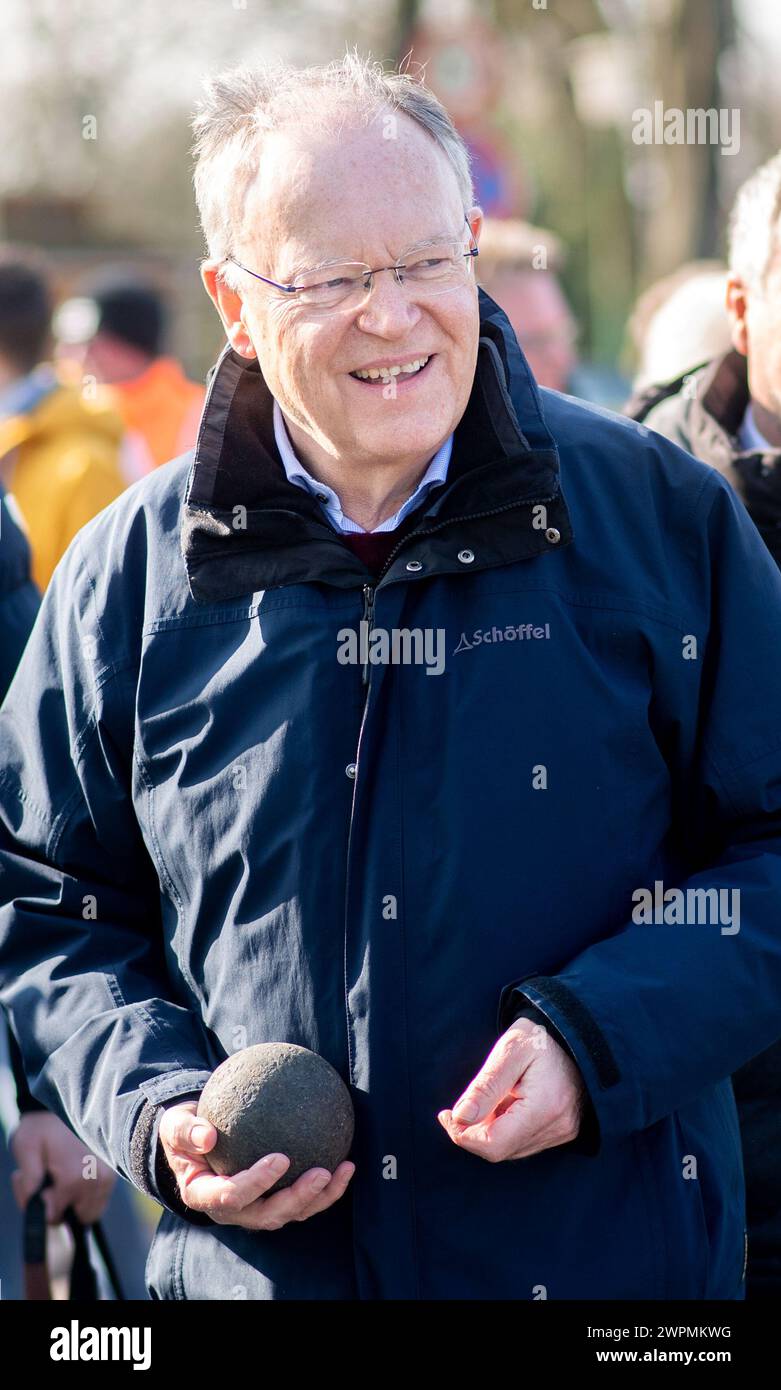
[(238, 1200)]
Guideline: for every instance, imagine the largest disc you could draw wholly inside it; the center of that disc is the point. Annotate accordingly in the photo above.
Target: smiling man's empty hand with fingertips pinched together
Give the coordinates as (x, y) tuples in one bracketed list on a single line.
[(526, 1097)]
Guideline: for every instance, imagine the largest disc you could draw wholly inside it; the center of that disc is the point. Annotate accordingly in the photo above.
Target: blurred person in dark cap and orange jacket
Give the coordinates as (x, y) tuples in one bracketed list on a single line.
[(117, 334)]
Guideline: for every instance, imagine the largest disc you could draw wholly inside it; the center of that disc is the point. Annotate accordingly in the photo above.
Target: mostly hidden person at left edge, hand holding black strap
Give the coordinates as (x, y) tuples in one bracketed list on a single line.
[(34, 1142)]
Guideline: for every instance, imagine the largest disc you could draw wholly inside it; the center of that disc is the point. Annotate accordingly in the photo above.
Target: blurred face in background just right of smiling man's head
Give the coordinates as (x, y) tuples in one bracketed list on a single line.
[(541, 318)]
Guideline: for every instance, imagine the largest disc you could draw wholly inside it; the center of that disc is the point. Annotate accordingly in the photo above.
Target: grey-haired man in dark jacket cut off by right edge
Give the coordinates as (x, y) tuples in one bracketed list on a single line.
[(729, 415)]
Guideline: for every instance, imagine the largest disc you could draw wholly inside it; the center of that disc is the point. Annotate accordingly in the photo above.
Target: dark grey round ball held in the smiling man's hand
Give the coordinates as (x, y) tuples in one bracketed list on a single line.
[(277, 1099)]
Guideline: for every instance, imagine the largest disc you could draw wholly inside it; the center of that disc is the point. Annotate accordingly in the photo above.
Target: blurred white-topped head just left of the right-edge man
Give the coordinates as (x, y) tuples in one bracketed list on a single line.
[(680, 323)]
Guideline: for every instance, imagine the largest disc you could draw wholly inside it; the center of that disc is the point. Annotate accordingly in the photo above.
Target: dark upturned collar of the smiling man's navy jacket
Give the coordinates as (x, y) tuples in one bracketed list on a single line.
[(245, 528)]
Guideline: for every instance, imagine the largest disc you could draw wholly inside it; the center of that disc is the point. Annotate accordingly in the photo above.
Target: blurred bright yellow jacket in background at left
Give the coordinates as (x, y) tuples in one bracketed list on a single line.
[(62, 462)]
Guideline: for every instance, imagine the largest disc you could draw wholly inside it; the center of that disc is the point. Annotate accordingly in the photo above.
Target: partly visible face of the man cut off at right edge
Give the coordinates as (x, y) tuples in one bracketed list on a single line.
[(755, 313)]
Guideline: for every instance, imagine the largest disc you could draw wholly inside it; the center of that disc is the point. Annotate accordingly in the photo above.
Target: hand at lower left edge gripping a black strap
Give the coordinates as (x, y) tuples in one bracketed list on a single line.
[(44, 1145)]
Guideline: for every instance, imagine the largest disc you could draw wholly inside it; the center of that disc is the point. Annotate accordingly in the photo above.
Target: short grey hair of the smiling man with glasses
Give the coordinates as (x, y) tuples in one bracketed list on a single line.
[(242, 105)]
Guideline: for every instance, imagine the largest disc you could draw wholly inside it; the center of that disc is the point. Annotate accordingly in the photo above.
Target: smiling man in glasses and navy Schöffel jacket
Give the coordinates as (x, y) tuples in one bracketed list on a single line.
[(216, 833)]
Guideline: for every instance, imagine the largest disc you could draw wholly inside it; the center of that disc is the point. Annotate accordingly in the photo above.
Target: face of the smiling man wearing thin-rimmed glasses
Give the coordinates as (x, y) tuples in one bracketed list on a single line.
[(359, 198)]
